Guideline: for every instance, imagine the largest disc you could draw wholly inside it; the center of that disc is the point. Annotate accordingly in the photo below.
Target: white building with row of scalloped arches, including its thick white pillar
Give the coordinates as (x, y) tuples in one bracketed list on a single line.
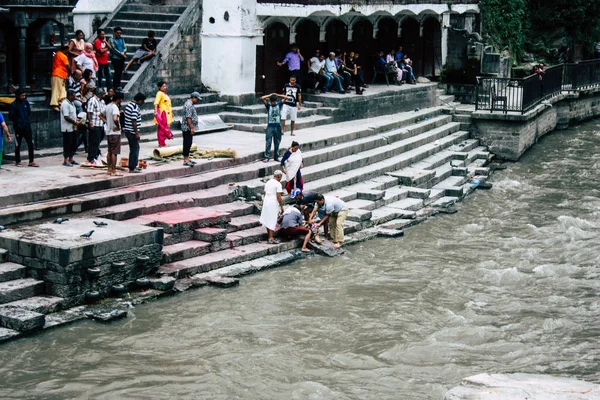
[(243, 39)]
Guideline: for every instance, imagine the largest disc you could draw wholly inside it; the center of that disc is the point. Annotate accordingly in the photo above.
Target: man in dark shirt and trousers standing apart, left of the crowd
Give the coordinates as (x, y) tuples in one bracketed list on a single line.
[(20, 115)]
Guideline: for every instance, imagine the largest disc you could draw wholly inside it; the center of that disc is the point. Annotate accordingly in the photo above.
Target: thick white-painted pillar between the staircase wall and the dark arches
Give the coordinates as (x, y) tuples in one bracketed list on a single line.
[(232, 77)]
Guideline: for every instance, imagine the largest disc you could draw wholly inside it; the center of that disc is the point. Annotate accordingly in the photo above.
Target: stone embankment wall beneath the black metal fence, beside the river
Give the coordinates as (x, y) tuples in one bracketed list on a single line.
[(510, 135)]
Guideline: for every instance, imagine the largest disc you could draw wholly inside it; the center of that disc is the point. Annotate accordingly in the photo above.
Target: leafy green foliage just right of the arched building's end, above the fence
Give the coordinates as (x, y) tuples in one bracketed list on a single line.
[(505, 22)]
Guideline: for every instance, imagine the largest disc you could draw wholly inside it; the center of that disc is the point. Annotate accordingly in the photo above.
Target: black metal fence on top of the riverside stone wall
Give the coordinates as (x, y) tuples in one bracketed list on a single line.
[(523, 94)]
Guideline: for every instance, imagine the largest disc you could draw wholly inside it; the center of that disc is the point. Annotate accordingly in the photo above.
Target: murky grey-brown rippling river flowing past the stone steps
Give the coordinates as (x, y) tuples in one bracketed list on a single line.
[(511, 283)]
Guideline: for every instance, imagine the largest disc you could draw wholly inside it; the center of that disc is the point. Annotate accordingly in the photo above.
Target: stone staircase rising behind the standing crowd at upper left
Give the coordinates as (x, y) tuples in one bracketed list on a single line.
[(136, 19)]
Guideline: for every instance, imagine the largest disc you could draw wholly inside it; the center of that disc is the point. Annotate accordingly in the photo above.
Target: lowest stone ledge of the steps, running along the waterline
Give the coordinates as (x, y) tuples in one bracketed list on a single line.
[(115, 308)]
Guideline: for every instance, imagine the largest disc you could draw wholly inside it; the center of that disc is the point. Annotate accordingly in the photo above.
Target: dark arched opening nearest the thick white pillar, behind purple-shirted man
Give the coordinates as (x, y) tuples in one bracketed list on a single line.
[(269, 77)]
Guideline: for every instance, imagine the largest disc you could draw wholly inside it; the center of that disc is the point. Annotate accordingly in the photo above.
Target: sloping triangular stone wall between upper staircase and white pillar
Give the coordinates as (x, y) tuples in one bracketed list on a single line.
[(178, 58)]
